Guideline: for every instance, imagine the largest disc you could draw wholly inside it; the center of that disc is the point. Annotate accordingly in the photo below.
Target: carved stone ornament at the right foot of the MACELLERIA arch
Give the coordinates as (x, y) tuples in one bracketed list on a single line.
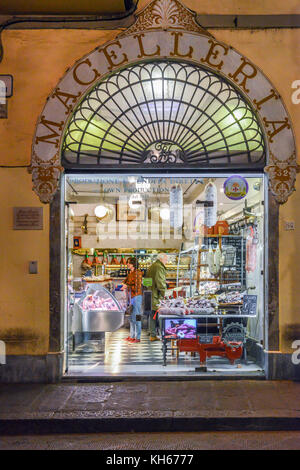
[(282, 176)]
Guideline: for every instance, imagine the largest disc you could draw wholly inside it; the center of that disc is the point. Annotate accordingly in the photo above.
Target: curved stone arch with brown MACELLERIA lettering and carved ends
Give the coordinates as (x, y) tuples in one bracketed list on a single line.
[(165, 29)]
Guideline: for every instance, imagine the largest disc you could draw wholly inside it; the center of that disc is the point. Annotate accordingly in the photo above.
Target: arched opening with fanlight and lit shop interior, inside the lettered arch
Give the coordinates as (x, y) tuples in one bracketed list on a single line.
[(175, 116)]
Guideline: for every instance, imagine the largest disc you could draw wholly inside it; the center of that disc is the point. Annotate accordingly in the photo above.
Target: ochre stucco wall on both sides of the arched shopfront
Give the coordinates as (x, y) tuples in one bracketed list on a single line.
[(37, 59)]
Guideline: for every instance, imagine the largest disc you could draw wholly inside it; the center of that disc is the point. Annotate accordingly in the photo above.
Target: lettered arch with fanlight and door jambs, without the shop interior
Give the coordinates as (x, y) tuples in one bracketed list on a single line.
[(256, 136)]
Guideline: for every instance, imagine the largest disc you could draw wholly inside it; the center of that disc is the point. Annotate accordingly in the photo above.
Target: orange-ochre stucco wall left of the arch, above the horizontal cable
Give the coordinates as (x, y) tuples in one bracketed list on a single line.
[(37, 60)]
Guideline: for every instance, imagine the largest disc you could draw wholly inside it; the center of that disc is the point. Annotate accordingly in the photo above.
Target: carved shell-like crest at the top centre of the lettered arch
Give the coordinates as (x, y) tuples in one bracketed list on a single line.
[(166, 14)]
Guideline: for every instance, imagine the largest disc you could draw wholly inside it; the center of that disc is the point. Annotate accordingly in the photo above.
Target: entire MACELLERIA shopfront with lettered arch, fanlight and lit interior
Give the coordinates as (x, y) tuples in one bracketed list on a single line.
[(165, 155)]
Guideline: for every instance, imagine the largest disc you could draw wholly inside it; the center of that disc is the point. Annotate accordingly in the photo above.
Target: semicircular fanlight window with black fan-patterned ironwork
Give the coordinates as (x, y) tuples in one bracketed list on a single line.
[(164, 112)]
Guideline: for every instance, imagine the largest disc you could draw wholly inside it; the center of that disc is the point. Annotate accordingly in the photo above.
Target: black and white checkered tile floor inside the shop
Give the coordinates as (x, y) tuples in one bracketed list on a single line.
[(119, 357)]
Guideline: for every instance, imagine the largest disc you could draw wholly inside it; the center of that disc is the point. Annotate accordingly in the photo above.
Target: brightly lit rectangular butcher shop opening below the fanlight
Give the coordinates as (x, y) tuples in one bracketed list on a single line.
[(207, 236)]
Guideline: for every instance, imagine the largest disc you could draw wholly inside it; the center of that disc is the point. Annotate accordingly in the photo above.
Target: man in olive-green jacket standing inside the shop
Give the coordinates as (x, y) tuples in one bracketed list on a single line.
[(157, 272)]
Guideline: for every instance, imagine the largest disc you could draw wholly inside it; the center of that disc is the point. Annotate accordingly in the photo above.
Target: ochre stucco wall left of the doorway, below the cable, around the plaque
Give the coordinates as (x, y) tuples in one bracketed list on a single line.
[(24, 297)]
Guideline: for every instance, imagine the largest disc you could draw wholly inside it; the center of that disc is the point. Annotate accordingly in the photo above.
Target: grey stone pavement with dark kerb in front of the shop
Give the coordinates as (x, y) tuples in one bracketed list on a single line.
[(150, 407)]
